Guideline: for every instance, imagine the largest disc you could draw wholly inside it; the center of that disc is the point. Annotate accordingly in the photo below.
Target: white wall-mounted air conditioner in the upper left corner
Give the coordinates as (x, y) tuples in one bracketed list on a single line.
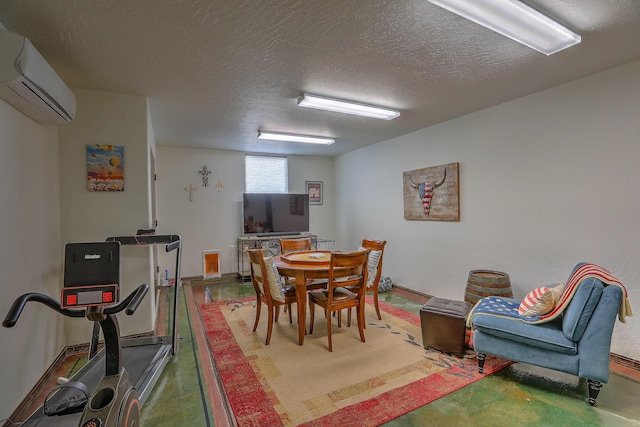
[(29, 83)]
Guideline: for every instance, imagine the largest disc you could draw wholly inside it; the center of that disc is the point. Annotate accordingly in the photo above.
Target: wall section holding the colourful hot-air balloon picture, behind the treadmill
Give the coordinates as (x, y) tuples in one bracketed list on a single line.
[(86, 216)]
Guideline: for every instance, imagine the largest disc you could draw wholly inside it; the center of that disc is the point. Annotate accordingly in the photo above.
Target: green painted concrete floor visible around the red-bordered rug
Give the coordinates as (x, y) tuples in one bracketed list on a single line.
[(521, 395)]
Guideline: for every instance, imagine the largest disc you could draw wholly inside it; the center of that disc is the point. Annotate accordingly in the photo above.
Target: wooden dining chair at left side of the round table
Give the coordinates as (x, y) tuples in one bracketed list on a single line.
[(269, 290)]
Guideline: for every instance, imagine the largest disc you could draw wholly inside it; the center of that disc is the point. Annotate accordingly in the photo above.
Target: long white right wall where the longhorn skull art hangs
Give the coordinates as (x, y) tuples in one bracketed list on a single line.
[(546, 181)]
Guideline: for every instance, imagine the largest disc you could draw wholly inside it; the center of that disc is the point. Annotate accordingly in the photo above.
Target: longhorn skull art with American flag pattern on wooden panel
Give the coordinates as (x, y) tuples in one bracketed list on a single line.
[(432, 193)]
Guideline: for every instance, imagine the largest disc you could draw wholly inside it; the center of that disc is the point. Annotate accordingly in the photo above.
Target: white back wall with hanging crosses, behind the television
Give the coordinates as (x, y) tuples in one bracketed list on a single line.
[(213, 221)]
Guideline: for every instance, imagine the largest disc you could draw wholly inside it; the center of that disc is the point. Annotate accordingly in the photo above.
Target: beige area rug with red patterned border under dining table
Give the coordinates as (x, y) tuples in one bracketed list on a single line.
[(358, 384)]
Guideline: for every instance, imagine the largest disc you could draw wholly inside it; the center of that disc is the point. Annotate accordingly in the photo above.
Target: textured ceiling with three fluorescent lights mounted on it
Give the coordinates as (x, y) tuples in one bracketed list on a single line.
[(216, 71)]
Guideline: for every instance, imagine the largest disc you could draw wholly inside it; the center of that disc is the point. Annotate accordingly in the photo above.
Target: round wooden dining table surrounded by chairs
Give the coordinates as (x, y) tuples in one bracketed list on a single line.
[(303, 266)]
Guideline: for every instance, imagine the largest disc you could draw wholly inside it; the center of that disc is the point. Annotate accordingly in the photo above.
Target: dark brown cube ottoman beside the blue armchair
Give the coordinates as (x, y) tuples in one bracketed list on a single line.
[(443, 325)]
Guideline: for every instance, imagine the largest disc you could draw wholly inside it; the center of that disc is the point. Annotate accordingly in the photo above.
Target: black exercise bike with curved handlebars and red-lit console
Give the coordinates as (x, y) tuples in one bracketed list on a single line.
[(91, 283)]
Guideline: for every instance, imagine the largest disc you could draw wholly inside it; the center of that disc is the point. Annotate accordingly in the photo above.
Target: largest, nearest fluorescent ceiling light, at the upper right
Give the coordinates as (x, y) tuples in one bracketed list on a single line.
[(515, 20)]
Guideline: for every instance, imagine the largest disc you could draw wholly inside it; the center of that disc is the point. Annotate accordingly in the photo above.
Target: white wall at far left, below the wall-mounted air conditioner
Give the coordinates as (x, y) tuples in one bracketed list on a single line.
[(30, 255)]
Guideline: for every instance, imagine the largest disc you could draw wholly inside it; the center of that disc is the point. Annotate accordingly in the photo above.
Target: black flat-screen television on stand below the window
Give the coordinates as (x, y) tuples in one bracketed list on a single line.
[(275, 213)]
